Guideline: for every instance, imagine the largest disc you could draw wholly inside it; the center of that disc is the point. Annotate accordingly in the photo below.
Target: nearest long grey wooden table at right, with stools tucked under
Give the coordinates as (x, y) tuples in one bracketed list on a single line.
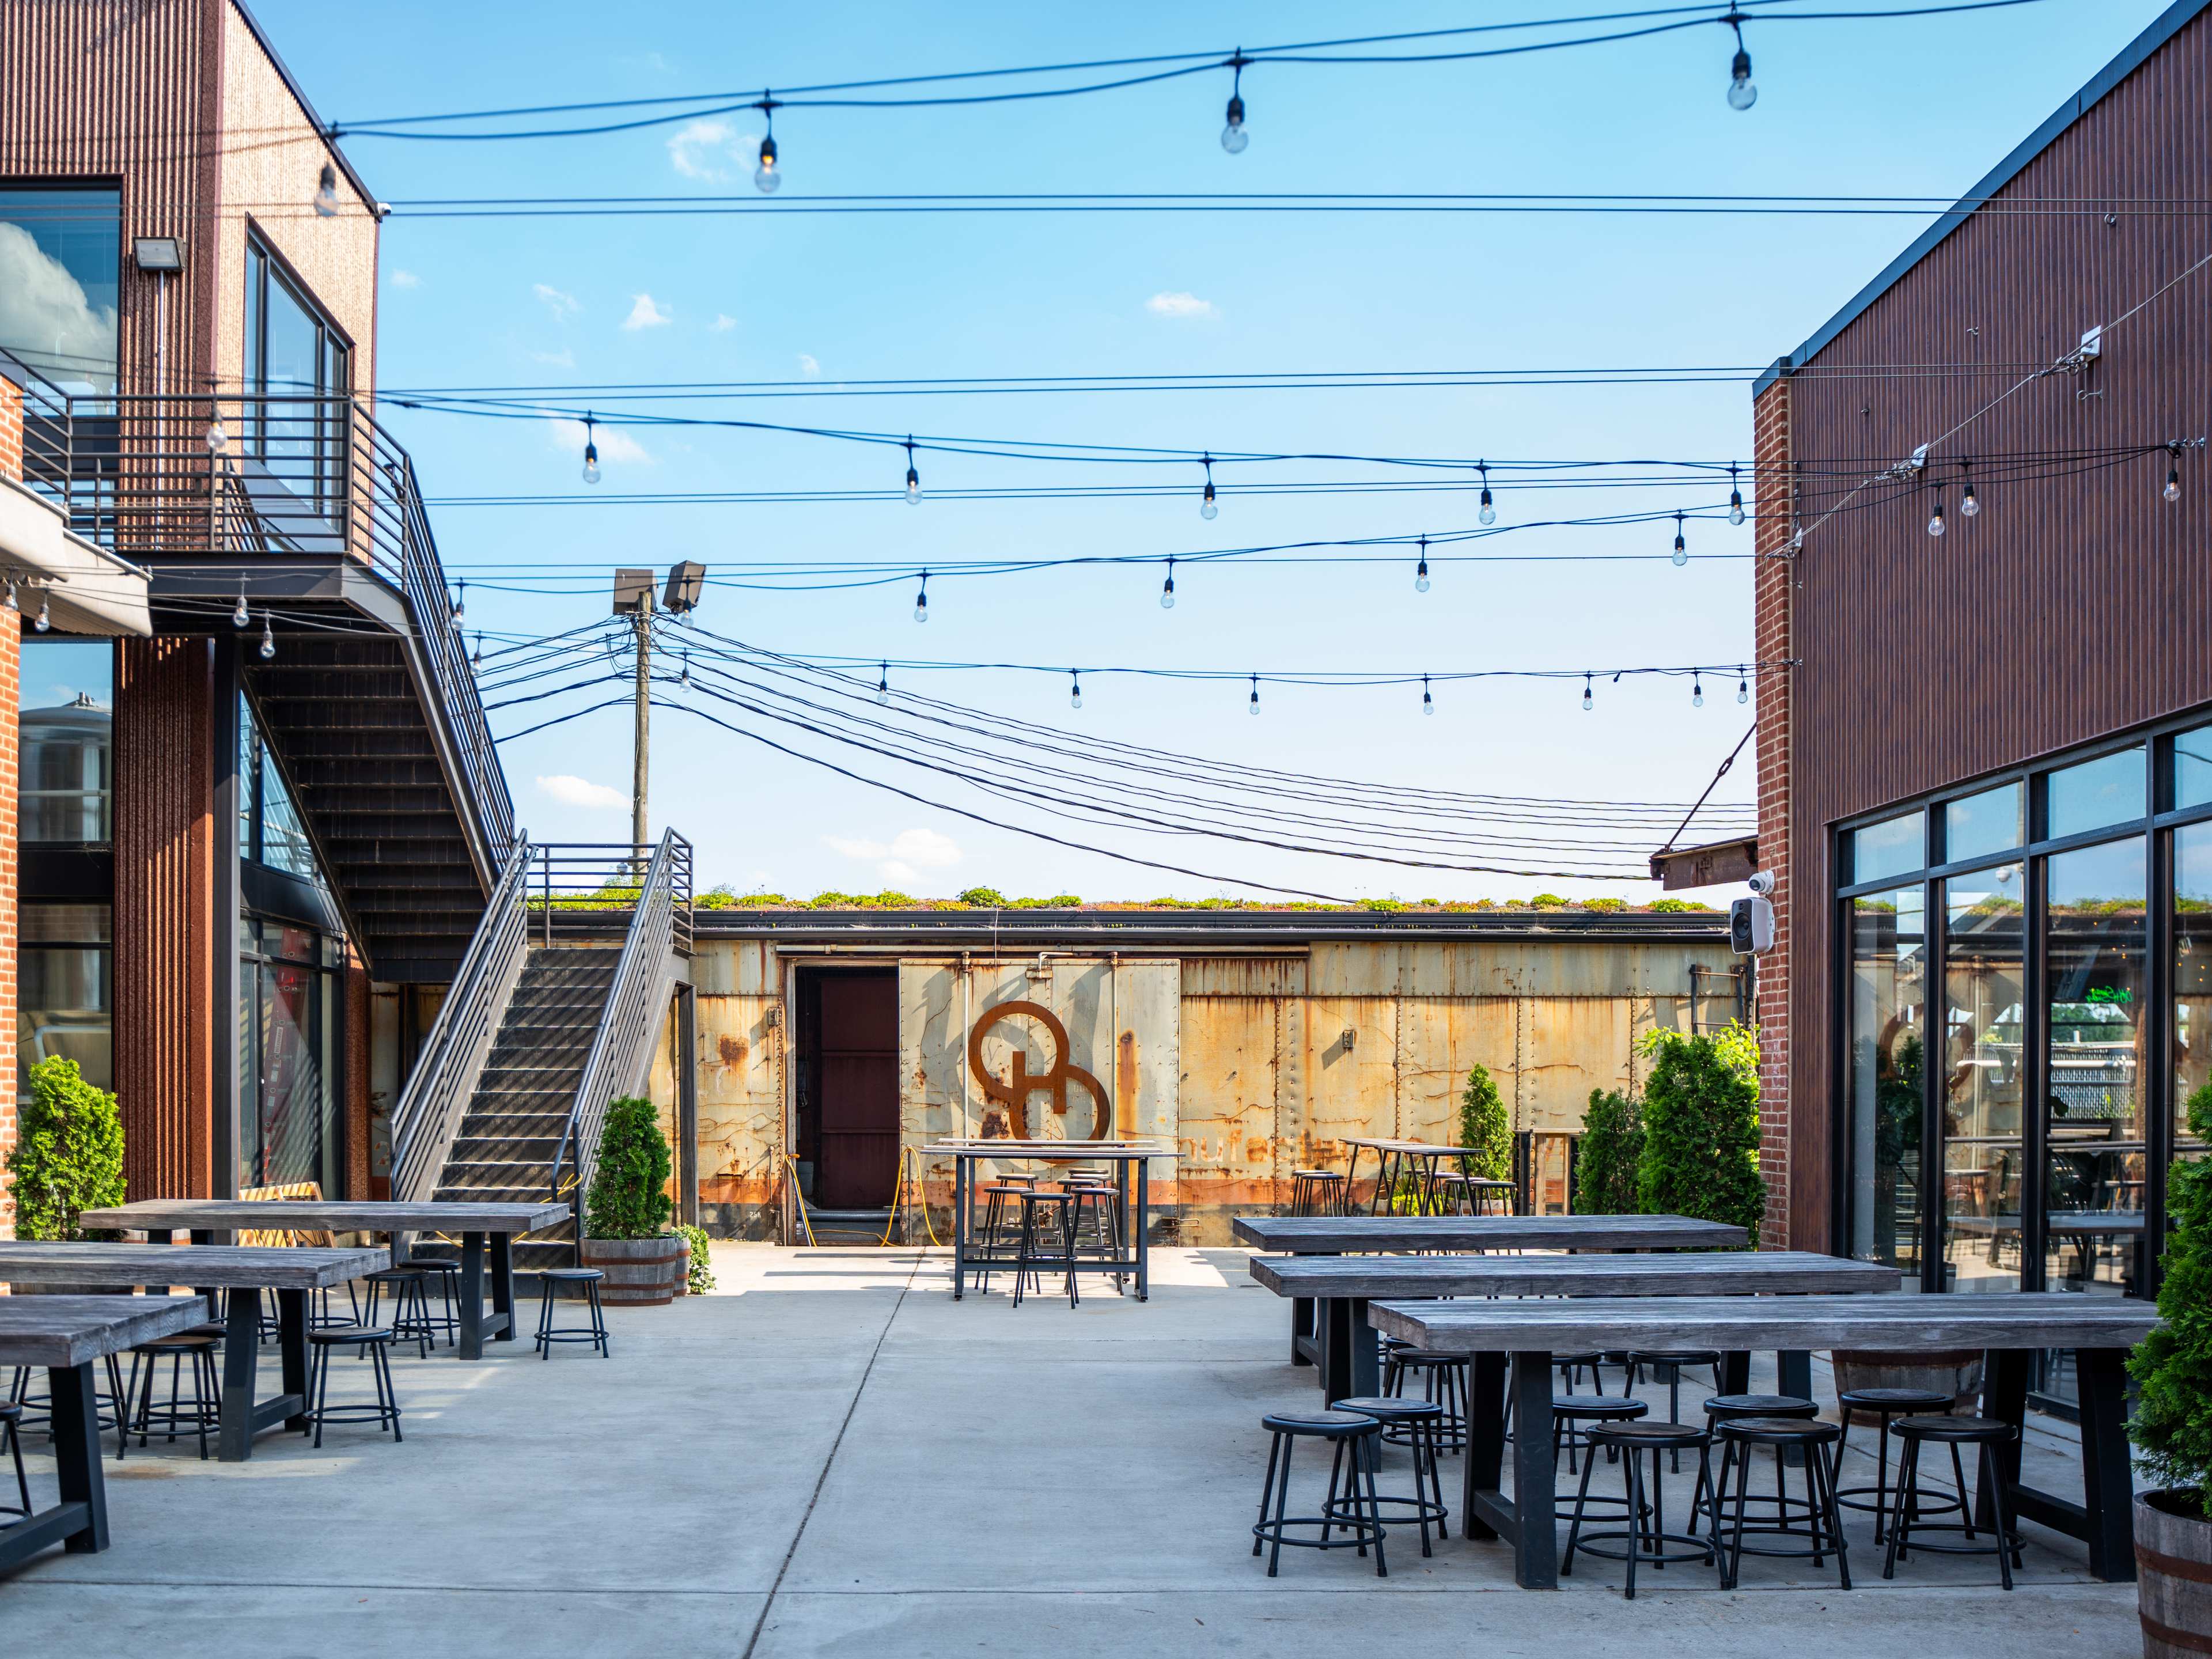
[(2012, 1328)]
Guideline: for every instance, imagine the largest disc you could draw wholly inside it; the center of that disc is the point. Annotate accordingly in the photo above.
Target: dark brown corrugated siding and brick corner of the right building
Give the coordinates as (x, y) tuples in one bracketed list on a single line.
[(2072, 607)]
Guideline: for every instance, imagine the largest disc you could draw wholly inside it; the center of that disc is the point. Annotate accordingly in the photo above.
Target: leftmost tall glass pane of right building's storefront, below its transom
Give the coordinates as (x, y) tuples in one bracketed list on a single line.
[(1888, 1067)]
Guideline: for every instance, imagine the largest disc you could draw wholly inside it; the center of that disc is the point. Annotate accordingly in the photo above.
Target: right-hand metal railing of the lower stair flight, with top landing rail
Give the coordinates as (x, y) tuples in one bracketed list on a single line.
[(636, 1003)]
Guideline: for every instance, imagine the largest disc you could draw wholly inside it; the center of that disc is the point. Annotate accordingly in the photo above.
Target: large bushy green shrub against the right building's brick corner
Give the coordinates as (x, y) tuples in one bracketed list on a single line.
[(1702, 1129)]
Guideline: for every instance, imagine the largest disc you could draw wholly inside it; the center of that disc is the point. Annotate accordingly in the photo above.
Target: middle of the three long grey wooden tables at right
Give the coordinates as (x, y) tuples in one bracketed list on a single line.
[(1344, 1286)]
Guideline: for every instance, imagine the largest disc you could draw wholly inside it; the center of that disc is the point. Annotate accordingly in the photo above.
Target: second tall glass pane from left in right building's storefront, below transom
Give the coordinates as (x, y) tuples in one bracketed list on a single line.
[(1983, 1081)]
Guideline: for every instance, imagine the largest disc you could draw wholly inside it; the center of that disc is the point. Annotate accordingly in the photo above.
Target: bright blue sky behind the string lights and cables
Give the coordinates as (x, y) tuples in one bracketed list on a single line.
[(1917, 107)]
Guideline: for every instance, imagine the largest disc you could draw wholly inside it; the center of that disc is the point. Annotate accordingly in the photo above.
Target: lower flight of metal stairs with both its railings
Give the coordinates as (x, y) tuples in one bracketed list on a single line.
[(556, 1012)]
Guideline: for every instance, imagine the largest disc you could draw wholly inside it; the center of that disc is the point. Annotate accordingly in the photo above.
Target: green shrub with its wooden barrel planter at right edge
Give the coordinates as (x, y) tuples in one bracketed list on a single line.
[(2173, 1421)]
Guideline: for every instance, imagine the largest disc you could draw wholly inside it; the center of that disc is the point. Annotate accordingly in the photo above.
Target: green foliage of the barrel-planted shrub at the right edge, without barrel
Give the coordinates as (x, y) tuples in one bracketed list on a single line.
[(2173, 1366)]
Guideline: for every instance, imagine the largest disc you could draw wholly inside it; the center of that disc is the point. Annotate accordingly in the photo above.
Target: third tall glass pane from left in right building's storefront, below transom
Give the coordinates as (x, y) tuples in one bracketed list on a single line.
[(2094, 972)]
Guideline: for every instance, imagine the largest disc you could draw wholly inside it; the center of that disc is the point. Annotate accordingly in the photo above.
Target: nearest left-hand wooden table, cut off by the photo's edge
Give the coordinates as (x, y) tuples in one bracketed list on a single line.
[(65, 1335)]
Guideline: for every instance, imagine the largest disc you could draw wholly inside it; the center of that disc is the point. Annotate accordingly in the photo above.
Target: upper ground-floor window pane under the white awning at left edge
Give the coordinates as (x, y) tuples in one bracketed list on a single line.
[(65, 718)]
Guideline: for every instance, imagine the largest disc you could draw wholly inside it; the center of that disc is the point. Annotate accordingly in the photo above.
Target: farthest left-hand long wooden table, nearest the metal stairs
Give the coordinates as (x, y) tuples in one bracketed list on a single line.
[(474, 1224)]
